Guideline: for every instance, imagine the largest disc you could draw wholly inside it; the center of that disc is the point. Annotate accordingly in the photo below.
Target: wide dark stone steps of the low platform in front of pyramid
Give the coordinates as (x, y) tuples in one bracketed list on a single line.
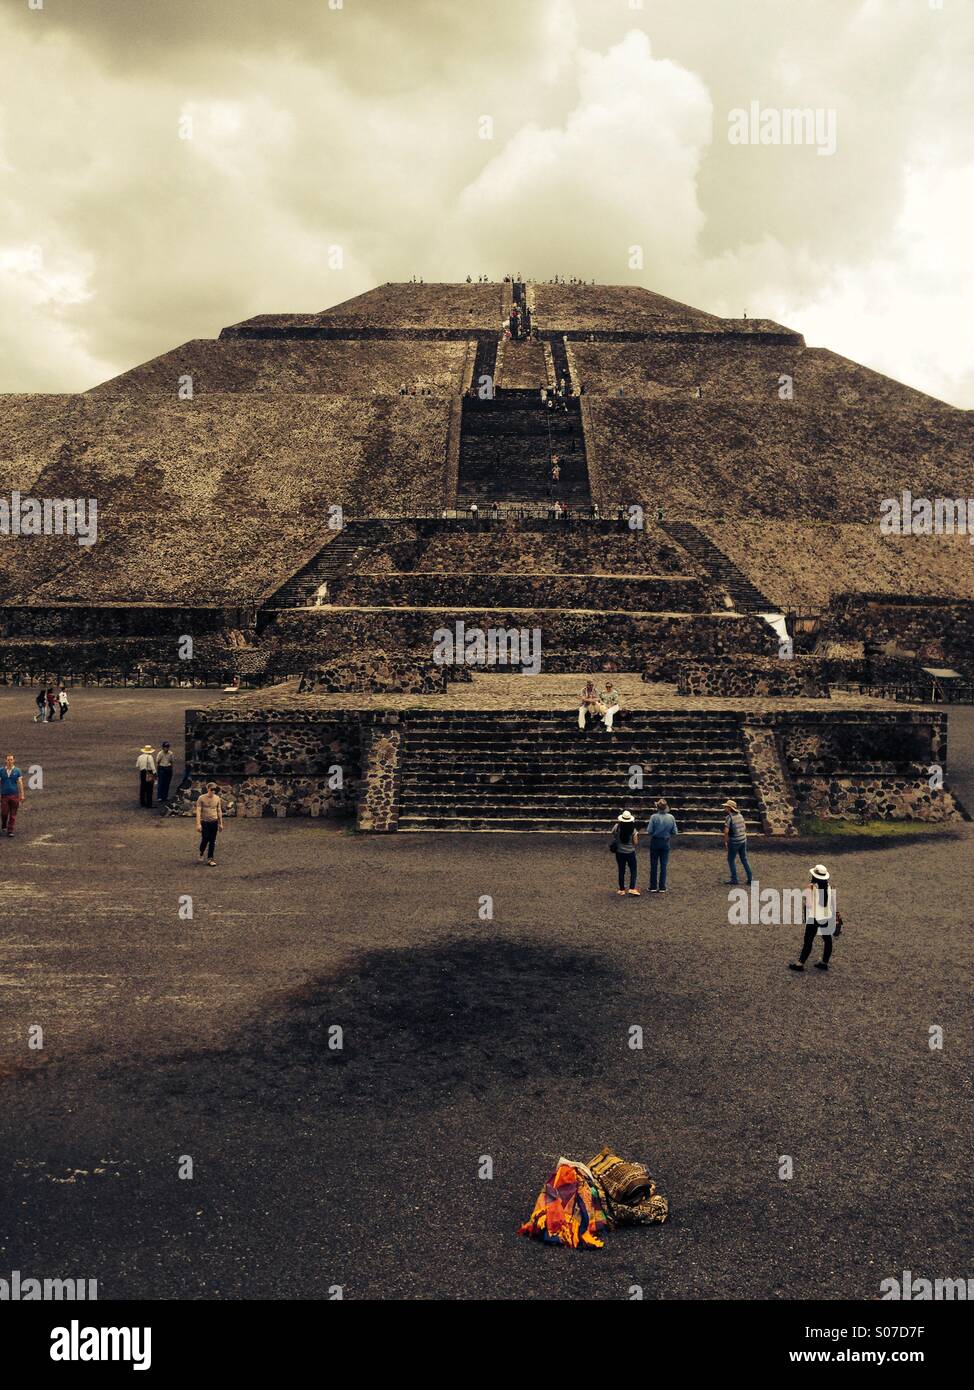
[(537, 771)]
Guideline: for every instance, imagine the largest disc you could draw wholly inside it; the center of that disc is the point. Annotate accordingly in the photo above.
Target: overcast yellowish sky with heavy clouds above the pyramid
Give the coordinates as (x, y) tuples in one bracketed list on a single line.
[(317, 126)]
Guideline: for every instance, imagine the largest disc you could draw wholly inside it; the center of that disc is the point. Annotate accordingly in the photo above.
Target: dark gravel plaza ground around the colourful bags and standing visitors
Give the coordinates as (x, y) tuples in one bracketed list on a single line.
[(509, 1039)]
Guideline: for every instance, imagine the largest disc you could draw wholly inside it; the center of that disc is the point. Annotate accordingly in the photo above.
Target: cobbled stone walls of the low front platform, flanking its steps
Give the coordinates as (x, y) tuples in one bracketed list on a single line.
[(294, 758)]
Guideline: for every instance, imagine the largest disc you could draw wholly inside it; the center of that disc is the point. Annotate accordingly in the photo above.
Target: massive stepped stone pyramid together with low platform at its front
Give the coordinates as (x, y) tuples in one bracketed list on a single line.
[(376, 475)]
